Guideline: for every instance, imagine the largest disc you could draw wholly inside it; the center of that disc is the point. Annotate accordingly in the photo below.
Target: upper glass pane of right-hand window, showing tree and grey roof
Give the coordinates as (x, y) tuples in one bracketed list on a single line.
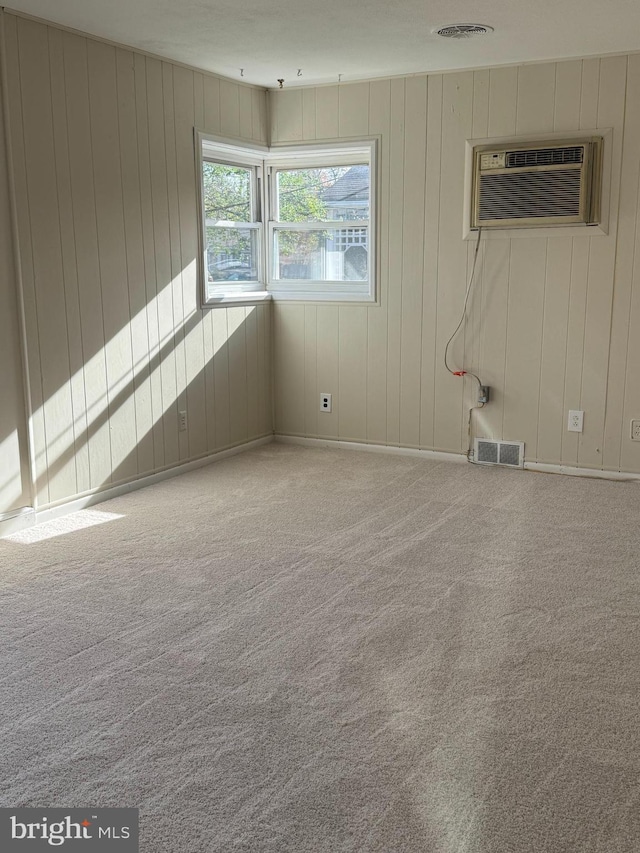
[(336, 192)]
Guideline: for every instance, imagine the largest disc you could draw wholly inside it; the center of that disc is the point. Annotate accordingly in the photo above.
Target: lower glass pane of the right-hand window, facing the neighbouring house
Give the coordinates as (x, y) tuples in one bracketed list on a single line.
[(339, 254)]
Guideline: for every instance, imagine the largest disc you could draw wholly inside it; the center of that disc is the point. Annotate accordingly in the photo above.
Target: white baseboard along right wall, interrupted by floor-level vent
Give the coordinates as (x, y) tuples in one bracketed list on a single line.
[(452, 457)]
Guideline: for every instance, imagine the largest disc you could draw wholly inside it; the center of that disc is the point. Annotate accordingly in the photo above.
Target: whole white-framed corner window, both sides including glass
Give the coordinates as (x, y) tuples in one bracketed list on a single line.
[(320, 241)]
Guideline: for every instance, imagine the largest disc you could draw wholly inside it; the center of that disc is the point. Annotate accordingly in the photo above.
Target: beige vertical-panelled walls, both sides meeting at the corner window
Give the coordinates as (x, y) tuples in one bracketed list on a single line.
[(117, 345)]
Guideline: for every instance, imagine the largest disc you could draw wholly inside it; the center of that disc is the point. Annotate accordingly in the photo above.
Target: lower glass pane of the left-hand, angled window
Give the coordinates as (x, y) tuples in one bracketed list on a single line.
[(231, 254)]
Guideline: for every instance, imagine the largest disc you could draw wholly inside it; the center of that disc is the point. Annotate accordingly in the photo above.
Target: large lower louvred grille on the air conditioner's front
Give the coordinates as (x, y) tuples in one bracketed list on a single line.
[(529, 194)]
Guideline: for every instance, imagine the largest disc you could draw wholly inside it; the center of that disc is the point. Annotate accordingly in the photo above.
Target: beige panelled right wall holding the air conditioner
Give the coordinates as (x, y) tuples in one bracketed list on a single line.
[(554, 322)]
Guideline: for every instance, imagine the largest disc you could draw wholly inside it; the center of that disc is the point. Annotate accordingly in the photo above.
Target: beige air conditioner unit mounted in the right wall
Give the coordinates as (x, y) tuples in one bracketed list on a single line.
[(532, 184)]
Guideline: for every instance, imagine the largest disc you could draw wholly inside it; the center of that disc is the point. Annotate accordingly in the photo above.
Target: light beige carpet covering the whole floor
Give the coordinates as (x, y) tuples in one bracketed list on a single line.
[(305, 650)]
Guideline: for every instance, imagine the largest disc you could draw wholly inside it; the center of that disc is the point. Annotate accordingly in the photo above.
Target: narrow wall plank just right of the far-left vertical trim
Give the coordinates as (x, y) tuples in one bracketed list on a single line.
[(25, 248)]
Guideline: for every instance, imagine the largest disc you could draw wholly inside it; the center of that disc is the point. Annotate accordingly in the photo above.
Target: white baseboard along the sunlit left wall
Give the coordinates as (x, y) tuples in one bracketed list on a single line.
[(29, 517)]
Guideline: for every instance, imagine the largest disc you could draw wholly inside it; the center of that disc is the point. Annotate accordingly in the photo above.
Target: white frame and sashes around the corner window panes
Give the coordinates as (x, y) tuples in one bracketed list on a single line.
[(266, 163)]
